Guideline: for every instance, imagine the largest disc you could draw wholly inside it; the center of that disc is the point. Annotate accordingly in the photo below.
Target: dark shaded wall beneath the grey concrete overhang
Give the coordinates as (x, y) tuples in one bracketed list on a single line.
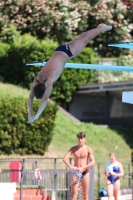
[(102, 108)]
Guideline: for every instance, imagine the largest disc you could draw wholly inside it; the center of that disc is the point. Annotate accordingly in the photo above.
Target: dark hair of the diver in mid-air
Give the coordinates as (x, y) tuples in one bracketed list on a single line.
[(39, 90)]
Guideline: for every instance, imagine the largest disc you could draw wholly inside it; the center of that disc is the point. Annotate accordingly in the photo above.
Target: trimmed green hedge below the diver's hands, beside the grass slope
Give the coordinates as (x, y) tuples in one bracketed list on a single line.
[(17, 135)]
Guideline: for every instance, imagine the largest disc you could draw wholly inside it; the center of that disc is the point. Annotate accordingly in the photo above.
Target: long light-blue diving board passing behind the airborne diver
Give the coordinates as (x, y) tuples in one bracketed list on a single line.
[(89, 66)]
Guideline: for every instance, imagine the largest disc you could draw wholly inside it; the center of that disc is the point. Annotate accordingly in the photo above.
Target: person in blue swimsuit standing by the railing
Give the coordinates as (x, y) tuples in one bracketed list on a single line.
[(113, 172)]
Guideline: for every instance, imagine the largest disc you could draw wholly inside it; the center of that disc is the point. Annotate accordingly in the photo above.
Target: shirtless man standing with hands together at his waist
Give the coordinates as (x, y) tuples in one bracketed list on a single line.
[(81, 155)]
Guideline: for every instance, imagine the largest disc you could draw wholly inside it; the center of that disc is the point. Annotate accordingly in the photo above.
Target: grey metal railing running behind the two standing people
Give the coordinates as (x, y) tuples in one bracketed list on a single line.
[(56, 177)]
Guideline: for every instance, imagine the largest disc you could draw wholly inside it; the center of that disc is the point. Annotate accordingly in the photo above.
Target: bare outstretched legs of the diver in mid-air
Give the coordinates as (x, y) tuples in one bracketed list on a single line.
[(78, 44)]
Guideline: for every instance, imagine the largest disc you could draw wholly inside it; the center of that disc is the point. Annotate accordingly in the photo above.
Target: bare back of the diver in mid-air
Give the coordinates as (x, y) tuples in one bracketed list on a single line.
[(54, 67)]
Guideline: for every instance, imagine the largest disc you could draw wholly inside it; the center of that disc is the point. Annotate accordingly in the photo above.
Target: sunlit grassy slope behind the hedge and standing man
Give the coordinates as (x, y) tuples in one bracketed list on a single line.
[(103, 140)]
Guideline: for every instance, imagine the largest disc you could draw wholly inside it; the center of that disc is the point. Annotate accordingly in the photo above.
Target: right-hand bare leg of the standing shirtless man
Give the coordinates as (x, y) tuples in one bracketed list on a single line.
[(85, 186)]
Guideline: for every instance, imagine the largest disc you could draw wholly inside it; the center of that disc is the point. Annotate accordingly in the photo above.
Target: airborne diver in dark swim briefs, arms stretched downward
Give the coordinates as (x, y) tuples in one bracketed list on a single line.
[(43, 82)]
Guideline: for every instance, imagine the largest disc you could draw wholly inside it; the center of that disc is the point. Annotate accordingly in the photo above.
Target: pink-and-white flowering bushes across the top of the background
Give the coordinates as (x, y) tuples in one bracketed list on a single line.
[(63, 20)]
